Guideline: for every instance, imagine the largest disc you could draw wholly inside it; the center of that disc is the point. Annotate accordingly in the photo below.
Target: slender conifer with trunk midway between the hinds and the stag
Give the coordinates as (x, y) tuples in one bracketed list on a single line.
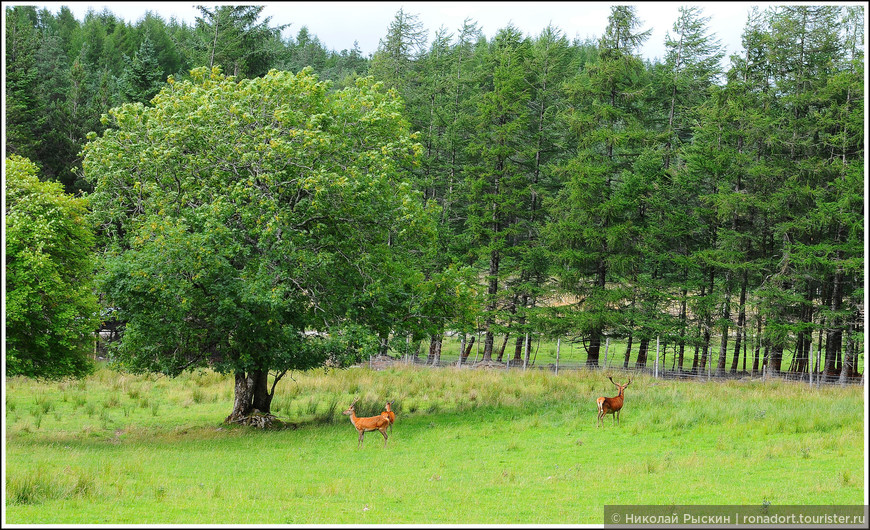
[(498, 179)]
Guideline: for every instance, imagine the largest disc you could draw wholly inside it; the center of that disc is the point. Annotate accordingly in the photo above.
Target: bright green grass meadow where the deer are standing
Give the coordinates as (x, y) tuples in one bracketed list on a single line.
[(507, 447)]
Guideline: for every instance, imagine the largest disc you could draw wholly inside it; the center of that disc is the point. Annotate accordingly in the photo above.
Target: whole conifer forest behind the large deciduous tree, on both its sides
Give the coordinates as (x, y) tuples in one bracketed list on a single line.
[(574, 187)]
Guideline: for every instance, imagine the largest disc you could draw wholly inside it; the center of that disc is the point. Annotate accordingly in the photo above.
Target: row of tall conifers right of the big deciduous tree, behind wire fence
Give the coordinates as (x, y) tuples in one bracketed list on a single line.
[(672, 199)]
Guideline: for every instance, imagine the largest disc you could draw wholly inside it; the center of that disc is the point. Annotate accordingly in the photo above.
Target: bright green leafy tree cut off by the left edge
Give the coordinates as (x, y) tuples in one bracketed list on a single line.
[(51, 309)]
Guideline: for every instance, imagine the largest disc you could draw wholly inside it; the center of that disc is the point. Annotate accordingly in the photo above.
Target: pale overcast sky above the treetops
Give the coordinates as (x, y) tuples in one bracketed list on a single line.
[(339, 24)]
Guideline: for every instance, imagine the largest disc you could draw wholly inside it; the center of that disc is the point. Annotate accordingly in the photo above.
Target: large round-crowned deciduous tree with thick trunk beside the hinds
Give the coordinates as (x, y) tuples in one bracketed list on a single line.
[(237, 217)]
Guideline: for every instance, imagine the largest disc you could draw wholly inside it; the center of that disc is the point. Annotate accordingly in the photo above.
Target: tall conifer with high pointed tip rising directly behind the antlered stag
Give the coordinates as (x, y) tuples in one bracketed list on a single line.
[(601, 204)]
